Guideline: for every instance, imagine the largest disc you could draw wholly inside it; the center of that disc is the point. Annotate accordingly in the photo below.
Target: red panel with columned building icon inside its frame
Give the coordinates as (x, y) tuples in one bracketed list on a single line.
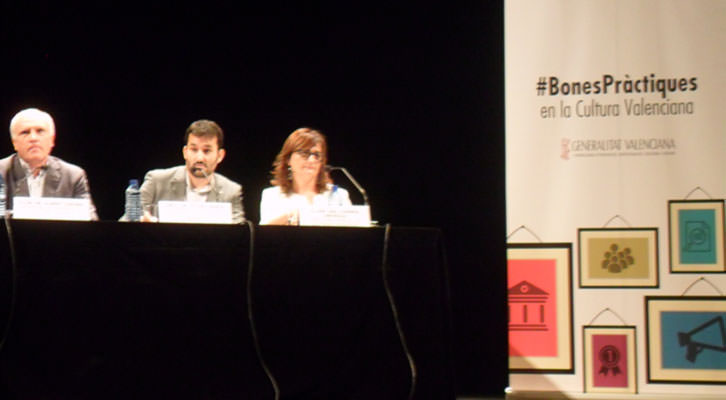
[(532, 302)]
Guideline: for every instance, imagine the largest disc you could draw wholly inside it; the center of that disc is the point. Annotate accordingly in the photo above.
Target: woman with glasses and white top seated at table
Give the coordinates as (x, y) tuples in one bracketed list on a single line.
[(300, 180)]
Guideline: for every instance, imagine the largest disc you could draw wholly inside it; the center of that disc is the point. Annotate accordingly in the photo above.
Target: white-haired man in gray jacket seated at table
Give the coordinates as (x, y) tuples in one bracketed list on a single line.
[(32, 171)]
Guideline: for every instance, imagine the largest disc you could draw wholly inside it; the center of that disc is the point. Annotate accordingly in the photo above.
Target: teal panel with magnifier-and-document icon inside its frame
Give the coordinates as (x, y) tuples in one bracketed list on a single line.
[(697, 236)]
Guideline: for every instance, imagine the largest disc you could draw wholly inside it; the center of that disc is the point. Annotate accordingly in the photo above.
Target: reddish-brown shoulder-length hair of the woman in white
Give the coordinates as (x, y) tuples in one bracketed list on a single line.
[(300, 139)]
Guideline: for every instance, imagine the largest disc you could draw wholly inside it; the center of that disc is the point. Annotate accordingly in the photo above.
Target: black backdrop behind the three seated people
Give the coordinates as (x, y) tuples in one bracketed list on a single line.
[(410, 97)]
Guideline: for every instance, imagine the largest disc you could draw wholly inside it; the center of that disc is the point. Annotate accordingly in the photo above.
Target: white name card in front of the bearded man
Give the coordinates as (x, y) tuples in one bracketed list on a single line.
[(194, 212)]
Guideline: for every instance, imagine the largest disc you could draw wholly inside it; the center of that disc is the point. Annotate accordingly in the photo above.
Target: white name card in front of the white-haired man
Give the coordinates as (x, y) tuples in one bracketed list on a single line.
[(54, 208)]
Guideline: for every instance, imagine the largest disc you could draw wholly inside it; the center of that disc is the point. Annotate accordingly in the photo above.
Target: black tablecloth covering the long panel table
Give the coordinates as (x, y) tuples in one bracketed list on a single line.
[(120, 310)]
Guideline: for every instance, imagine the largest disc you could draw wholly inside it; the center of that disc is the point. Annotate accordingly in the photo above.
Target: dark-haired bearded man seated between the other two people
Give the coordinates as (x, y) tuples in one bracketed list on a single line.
[(195, 181)]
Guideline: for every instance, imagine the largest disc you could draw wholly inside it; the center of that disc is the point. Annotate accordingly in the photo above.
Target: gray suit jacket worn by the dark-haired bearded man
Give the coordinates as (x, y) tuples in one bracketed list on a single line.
[(171, 184)]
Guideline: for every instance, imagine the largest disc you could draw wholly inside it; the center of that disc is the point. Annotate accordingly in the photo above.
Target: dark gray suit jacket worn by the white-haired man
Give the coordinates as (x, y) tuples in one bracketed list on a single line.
[(62, 179)]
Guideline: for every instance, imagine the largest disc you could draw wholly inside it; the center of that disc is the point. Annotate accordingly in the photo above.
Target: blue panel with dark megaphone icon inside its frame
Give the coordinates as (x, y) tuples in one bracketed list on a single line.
[(693, 340)]
